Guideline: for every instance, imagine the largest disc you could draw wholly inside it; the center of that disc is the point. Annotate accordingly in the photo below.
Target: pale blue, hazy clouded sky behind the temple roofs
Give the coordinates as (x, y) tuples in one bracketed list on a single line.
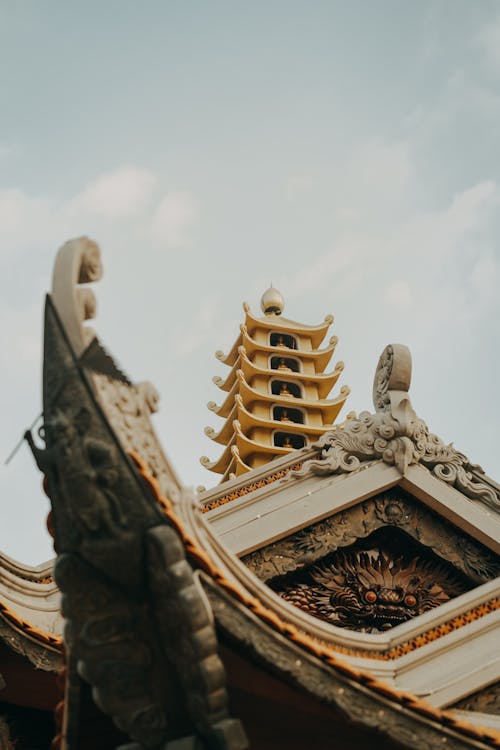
[(347, 151)]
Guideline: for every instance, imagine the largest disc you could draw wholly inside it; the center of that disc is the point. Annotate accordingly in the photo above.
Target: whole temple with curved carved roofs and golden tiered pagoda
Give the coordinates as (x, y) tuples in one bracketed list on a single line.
[(339, 593)]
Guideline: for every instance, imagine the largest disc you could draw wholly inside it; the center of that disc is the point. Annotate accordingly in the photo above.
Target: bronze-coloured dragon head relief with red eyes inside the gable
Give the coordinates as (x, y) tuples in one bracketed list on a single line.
[(372, 591)]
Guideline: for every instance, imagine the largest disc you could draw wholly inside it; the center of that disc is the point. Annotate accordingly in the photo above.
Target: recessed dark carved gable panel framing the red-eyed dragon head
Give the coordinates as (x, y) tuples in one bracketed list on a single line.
[(375, 565)]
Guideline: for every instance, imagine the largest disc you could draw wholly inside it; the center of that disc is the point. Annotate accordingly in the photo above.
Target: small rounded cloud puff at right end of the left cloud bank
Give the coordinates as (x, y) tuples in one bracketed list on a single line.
[(173, 220)]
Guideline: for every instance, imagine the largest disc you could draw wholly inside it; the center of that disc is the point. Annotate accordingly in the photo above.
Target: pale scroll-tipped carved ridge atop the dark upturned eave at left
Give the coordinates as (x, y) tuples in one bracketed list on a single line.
[(127, 406)]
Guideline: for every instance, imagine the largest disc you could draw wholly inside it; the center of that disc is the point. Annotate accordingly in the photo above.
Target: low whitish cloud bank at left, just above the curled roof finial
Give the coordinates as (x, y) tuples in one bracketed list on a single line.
[(117, 202)]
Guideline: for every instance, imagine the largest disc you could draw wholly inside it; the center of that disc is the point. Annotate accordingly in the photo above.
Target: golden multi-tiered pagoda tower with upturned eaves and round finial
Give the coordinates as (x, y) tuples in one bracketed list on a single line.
[(276, 389)]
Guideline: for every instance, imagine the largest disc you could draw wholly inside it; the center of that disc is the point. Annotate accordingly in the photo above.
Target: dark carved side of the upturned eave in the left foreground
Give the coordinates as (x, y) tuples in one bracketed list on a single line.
[(139, 629)]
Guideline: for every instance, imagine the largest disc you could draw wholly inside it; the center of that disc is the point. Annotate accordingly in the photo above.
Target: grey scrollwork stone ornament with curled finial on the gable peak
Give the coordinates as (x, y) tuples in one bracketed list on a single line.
[(397, 436)]
